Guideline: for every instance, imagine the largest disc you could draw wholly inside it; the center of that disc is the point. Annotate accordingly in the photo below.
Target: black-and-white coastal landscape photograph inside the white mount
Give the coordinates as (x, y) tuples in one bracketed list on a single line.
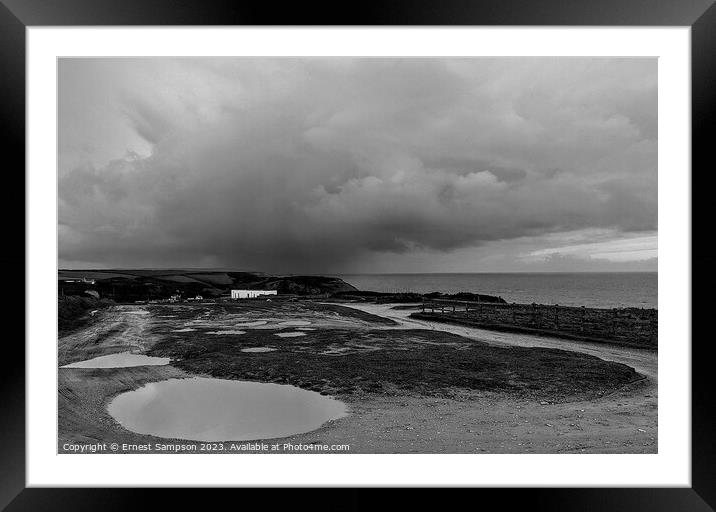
[(357, 255)]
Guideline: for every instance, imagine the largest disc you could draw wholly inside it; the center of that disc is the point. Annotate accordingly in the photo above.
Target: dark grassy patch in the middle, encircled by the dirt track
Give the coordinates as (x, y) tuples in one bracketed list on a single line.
[(370, 358)]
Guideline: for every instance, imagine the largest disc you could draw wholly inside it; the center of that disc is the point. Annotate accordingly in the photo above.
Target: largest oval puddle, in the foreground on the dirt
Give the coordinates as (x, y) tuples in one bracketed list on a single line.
[(205, 409)]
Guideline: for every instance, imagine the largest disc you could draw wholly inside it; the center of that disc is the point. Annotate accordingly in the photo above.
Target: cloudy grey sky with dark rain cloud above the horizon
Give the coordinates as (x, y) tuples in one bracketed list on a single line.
[(350, 165)]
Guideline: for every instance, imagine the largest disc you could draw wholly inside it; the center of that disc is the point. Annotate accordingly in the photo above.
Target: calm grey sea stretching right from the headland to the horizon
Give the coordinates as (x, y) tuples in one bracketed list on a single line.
[(596, 290)]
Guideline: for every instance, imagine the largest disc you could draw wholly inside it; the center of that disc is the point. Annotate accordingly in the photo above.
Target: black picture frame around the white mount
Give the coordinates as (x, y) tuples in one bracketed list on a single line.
[(700, 15)]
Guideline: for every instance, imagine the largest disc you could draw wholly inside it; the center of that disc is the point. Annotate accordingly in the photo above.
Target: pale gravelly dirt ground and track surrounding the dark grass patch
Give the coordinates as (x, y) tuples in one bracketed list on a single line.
[(468, 421)]
